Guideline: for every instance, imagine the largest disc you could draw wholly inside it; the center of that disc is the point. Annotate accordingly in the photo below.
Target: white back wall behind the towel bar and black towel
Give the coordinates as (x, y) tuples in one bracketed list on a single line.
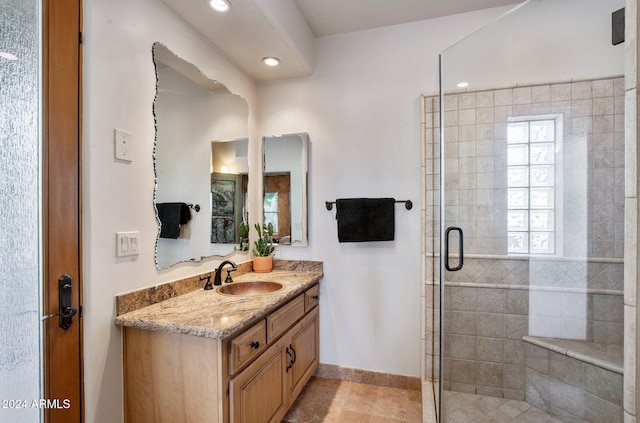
[(361, 110)]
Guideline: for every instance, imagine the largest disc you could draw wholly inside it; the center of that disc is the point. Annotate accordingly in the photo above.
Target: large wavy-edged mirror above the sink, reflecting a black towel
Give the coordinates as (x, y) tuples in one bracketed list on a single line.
[(191, 112)]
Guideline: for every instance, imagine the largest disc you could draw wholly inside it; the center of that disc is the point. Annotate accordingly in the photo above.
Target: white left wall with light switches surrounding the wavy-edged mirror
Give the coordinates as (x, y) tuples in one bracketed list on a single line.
[(119, 88)]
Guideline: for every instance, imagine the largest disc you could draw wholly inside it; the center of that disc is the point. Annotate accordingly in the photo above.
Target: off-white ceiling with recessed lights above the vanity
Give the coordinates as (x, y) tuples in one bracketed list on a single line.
[(287, 29)]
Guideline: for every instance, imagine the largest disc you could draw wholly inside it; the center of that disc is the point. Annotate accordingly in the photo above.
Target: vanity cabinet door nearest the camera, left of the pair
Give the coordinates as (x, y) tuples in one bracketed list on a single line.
[(259, 394)]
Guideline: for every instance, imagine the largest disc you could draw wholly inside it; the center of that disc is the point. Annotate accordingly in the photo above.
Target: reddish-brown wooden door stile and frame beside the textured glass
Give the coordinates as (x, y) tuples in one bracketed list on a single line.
[(61, 206)]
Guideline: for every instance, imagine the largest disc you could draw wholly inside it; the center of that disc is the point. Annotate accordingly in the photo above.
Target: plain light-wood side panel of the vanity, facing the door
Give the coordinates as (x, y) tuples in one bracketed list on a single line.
[(166, 374)]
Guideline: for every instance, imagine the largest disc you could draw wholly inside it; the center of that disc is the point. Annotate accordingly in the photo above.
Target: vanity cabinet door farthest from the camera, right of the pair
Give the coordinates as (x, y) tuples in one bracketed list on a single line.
[(304, 342)]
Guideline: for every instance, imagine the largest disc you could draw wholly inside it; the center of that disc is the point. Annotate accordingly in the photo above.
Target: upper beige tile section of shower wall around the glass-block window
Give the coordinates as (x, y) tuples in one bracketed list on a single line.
[(592, 117)]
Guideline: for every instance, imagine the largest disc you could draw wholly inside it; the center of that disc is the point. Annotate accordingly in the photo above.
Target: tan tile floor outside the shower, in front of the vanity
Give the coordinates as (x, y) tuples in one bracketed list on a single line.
[(338, 401)]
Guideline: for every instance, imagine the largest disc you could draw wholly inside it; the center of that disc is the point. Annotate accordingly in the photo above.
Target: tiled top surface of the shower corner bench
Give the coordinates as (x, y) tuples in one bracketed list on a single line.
[(606, 356)]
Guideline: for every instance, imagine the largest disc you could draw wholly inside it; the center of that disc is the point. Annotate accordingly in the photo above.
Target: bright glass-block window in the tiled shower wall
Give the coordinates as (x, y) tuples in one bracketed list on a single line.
[(531, 186)]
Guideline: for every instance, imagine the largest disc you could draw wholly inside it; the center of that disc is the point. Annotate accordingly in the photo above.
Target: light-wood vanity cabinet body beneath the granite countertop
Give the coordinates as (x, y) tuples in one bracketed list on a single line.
[(252, 376)]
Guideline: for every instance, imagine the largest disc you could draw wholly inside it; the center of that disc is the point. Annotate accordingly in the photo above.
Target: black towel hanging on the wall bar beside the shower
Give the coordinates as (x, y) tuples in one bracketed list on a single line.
[(365, 219)]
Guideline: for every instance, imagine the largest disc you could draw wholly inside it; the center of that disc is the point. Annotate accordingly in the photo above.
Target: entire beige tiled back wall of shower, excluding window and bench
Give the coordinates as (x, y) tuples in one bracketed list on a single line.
[(496, 299)]
